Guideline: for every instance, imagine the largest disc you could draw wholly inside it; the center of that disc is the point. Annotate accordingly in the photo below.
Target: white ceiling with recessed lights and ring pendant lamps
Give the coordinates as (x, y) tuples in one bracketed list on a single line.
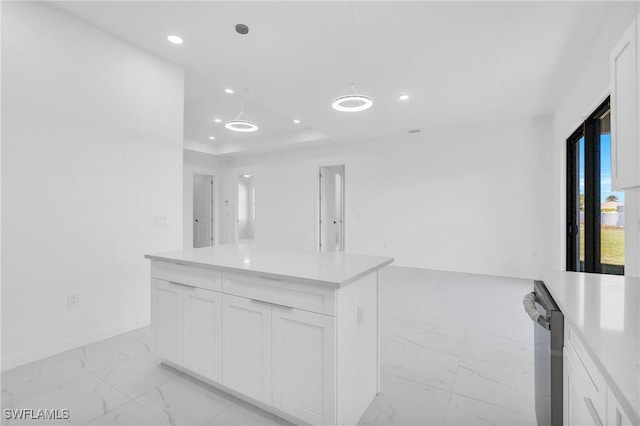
[(460, 62)]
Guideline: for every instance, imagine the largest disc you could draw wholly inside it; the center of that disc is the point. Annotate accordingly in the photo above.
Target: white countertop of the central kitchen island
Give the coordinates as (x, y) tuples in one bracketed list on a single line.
[(336, 268)]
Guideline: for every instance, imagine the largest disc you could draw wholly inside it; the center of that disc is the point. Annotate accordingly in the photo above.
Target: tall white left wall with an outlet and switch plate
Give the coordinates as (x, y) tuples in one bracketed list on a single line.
[(91, 153)]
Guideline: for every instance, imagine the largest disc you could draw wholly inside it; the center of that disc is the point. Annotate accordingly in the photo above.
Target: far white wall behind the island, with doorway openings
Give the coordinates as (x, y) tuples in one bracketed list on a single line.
[(469, 198)]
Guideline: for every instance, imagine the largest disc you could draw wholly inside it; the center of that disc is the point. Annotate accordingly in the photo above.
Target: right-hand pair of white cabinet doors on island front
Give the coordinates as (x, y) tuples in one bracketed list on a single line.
[(281, 356)]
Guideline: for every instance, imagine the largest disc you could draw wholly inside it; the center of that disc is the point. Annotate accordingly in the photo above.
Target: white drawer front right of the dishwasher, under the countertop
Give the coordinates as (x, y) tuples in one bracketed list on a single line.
[(593, 383)]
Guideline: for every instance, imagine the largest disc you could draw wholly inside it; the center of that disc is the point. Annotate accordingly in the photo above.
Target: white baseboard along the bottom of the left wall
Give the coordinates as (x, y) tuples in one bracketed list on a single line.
[(71, 343)]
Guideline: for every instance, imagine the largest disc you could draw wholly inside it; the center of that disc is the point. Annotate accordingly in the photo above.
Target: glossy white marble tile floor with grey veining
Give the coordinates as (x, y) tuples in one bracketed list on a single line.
[(457, 349)]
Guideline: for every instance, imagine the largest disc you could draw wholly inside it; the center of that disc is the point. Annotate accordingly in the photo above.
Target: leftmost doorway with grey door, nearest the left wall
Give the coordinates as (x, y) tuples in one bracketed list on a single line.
[(203, 208)]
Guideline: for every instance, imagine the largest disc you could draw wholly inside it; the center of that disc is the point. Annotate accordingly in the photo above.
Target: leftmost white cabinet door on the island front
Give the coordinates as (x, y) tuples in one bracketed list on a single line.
[(166, 320)]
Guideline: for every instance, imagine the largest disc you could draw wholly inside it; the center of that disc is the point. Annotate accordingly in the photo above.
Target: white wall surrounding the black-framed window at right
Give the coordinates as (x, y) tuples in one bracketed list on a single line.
[(582, 95)]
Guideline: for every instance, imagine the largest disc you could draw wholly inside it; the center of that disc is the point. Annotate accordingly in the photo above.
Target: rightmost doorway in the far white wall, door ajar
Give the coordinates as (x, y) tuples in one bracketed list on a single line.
[(331, 208)]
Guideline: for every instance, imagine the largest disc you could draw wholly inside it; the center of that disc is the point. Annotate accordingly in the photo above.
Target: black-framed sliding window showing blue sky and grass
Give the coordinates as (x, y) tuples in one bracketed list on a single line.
[(595, 214)]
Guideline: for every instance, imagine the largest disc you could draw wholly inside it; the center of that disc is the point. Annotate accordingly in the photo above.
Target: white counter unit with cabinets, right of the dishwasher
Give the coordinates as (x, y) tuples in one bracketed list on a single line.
[(601, 347)]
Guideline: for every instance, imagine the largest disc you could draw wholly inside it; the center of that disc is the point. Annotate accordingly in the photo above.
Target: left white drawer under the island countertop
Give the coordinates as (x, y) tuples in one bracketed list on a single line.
[(192, 275)]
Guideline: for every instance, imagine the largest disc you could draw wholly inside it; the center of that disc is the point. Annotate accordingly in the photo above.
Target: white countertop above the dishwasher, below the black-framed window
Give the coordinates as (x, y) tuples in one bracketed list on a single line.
[(605, 311)]
